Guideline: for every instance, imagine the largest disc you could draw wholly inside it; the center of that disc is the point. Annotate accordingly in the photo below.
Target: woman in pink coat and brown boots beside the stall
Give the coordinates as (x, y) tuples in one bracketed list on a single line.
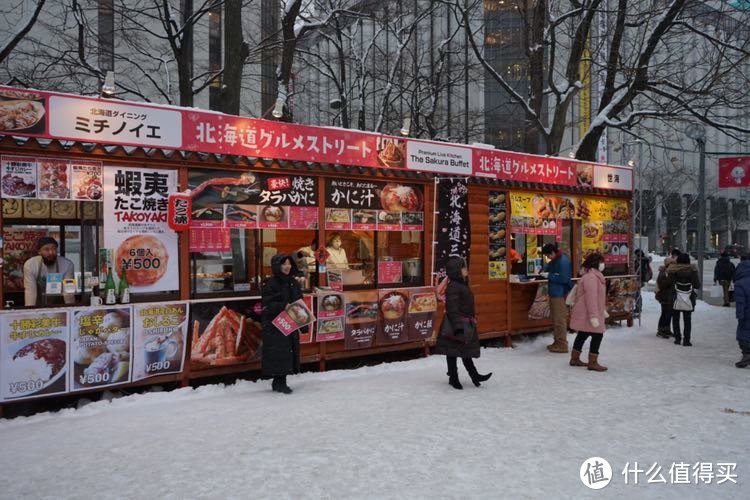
[(589, 312)]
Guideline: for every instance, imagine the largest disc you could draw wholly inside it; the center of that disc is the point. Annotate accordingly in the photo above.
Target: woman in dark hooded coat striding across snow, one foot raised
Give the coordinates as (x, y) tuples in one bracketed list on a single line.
[(458, 332)]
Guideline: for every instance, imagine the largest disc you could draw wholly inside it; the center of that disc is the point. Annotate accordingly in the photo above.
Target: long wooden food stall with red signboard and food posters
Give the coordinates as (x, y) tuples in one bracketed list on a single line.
[(187, 208)]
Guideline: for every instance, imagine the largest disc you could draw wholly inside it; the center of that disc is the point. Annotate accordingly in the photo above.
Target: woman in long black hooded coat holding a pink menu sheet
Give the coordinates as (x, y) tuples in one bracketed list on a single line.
[(280, 352)]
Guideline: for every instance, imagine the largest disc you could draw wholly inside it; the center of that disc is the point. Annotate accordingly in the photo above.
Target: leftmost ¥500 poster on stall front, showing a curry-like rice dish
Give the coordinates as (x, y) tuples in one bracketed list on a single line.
[(33, 354)]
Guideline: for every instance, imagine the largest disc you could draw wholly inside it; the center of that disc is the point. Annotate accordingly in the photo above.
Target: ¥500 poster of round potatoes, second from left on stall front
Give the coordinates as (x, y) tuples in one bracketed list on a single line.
[(100, 346)]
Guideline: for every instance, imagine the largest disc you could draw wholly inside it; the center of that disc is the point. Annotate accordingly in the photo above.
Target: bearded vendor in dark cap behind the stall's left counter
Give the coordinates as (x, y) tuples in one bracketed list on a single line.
[(44, 276)]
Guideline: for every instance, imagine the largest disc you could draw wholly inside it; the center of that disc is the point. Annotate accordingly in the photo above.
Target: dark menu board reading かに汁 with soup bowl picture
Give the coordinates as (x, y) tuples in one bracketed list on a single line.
[(375, 206)]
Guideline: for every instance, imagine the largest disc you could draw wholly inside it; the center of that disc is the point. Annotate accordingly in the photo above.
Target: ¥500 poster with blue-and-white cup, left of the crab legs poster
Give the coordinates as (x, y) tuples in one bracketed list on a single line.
[(159, 336)]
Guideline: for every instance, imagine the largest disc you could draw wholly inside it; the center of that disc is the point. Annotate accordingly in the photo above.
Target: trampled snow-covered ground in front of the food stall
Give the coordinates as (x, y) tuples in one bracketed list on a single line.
[(398, 430)]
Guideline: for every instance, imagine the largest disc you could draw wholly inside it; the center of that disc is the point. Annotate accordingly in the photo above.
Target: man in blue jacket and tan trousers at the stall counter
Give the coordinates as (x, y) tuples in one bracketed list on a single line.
[(558, 273)]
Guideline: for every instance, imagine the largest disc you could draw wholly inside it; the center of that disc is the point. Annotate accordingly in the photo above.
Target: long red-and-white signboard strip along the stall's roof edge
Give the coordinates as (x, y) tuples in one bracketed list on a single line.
[(107, 121)]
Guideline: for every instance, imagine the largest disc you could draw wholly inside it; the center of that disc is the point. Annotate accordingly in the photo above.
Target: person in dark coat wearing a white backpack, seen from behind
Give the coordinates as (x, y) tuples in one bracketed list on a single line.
[(683, 280)]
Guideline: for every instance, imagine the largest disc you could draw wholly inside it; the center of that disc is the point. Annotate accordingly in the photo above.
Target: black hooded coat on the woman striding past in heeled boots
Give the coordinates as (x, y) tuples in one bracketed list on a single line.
[(459, 310)]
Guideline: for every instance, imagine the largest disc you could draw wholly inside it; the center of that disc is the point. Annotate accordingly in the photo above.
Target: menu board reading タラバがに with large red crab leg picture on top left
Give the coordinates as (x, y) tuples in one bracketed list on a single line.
[(251, 200)]
